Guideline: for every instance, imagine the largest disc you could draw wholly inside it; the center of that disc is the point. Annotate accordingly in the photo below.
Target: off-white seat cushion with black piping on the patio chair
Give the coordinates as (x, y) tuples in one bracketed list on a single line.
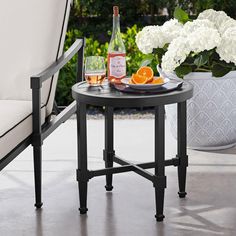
[(16, 123)]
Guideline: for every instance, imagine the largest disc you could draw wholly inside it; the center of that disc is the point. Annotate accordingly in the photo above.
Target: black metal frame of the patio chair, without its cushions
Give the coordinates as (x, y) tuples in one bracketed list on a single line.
[(41, 132)]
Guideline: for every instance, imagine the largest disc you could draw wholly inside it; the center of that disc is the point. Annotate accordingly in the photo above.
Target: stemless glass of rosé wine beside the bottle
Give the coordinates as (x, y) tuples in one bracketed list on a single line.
[(95, 70)]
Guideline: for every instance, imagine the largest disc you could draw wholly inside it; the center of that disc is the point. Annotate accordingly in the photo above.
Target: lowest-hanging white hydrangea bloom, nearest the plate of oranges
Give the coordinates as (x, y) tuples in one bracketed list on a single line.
[(177, 52)]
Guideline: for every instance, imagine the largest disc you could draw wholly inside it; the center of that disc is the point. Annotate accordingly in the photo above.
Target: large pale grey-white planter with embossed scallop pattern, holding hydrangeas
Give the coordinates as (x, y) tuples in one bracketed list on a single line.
[(211, 113)]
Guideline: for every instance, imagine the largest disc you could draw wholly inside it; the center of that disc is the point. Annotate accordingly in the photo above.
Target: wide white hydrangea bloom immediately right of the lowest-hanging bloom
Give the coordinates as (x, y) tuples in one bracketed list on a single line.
[(204, 38)]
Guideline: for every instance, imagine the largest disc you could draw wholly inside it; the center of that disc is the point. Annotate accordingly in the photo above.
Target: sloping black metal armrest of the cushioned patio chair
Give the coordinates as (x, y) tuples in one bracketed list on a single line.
[(37, 80)]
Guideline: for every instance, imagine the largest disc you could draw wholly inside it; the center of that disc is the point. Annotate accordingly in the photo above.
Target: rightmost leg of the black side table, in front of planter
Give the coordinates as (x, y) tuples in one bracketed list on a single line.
[(182, 148)]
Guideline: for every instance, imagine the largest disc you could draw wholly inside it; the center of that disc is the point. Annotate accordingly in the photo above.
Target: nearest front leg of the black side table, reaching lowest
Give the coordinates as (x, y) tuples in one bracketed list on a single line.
[(160, 178)]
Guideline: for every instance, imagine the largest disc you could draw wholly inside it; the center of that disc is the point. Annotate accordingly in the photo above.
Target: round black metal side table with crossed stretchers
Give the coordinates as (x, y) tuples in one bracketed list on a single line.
[(110, 98)]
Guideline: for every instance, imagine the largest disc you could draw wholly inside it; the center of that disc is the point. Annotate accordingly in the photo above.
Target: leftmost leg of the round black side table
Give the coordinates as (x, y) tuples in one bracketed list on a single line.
[(82, 171)]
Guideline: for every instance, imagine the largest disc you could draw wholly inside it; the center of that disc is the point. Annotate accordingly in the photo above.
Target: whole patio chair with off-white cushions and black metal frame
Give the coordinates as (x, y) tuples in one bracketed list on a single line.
[(31, 42)]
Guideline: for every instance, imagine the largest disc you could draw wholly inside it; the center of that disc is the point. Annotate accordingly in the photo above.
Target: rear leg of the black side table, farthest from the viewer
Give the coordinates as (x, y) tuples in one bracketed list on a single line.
[(108, 152)]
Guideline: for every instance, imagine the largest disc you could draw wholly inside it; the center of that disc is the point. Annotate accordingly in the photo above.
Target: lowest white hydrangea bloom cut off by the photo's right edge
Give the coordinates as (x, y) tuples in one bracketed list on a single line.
[(227, 48)]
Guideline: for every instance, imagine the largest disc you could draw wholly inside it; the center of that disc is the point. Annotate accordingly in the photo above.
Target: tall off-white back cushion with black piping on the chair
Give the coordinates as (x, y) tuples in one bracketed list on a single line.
[(30, 41)]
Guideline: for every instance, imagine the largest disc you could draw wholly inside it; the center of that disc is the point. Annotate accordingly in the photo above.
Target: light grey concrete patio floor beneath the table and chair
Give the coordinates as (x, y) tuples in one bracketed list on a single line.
[(209, 208)]
